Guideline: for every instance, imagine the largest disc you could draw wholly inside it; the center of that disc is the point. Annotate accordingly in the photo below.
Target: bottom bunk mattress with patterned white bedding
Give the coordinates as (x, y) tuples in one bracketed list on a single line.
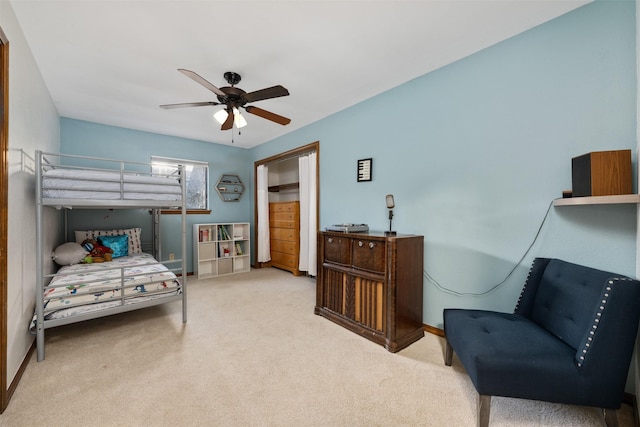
[(84, 288)]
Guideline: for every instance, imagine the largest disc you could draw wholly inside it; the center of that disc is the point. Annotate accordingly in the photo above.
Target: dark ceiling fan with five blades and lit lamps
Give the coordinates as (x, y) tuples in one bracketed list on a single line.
[(233, 98)]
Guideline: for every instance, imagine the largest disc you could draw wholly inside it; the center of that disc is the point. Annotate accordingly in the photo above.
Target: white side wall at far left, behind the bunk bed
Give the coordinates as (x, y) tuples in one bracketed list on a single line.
[(33, 124)]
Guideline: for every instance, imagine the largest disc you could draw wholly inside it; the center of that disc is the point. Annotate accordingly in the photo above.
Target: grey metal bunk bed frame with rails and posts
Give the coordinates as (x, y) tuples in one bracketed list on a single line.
[(154, 205)]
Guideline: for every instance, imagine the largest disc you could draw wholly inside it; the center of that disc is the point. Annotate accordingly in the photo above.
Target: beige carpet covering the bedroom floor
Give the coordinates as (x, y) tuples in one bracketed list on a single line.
[(253, 354)]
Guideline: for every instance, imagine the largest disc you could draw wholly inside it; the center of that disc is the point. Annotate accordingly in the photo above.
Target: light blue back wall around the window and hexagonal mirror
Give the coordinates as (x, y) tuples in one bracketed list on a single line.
[(92, 139)]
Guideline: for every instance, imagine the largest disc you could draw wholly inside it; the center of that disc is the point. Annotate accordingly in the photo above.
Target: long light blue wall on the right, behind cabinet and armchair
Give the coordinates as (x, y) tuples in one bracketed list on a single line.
[(476, 151)]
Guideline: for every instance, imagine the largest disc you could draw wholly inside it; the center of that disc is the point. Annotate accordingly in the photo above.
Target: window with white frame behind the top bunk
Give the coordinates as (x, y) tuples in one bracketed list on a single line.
[(197, 174)]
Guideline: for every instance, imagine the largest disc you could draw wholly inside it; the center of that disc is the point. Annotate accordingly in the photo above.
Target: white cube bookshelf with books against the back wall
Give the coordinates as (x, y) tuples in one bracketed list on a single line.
[(220, 249)]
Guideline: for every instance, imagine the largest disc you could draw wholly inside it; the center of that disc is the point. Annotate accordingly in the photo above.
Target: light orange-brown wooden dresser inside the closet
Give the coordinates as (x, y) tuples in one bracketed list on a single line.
[(284, 232)]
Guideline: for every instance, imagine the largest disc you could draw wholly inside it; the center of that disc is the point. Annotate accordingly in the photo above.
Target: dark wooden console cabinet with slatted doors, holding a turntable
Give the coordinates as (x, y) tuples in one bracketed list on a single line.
[(372, 285)]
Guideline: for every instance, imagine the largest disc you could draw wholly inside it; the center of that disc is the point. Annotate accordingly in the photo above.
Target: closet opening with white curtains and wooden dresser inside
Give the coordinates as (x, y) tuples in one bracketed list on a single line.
[(287, 210)]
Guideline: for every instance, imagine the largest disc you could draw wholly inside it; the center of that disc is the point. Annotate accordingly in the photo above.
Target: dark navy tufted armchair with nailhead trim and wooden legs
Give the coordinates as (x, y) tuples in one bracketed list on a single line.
[(569, 340)]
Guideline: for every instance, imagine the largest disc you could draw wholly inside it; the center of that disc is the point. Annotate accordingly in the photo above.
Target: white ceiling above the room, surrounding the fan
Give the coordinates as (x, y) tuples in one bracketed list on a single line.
[(114, 62)]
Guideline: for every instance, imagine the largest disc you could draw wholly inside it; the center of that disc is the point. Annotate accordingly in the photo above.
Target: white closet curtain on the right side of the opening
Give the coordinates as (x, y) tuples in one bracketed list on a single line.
[(308, 220)]
